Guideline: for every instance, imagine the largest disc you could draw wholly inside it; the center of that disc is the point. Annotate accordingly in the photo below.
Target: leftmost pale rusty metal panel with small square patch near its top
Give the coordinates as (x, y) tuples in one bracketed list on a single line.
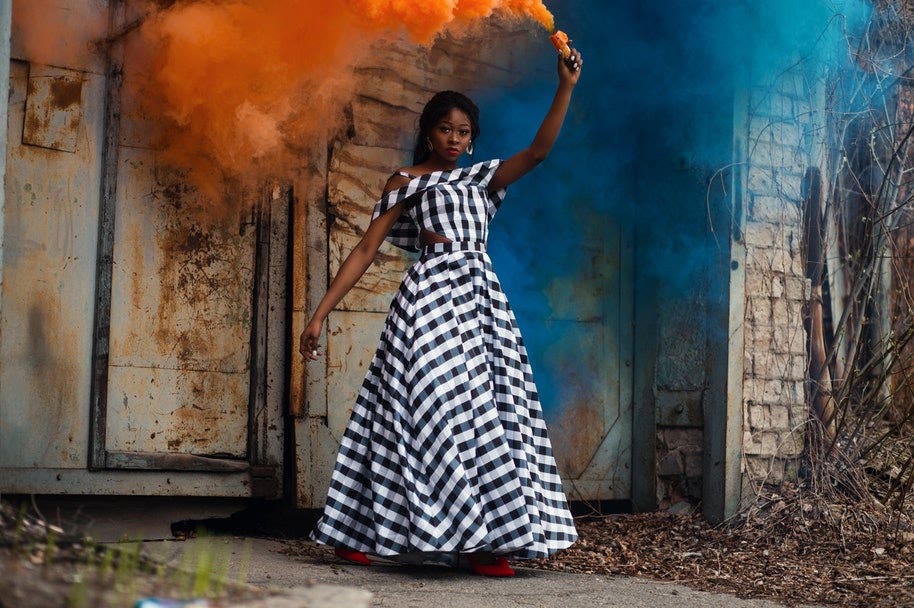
[(48, 256)]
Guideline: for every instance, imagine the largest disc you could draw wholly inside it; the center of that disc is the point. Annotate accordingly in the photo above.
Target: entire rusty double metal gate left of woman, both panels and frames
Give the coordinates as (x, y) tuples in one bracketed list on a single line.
[(144, 329)]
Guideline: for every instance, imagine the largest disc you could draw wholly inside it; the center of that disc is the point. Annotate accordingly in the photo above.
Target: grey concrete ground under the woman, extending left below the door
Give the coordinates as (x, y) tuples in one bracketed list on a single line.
[(314, 579)]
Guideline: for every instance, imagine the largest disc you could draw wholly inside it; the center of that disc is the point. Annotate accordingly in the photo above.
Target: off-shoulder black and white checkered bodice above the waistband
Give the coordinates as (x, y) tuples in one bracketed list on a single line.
[(455, 204)]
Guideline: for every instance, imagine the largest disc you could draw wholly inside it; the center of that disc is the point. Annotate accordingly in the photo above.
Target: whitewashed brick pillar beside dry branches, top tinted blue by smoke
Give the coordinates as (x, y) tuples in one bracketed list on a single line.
[(782, 135)]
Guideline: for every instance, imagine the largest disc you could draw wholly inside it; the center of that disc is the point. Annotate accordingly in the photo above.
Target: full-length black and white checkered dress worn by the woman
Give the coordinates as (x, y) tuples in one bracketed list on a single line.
[(446, 450)]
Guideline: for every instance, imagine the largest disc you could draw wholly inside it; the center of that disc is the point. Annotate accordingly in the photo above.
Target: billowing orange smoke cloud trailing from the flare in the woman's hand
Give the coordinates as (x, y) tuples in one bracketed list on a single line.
[(243, 85)]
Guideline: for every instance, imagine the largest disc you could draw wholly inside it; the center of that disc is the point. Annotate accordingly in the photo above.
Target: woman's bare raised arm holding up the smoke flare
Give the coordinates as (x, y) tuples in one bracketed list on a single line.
[(515, 167)]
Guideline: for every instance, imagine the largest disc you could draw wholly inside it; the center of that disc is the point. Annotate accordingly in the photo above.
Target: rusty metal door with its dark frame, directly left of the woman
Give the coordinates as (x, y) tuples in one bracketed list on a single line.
[(184, 385)]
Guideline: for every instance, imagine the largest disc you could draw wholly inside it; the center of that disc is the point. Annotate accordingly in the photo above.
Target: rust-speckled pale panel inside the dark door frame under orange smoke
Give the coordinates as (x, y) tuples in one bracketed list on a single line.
[(181, 318)]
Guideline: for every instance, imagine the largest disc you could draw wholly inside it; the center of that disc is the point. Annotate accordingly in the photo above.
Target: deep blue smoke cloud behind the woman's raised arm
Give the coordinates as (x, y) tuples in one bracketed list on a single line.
[(650, 123)]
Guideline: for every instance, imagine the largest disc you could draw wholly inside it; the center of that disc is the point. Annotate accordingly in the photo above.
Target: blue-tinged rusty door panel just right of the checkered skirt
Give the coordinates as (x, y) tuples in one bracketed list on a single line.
[(580, 345)]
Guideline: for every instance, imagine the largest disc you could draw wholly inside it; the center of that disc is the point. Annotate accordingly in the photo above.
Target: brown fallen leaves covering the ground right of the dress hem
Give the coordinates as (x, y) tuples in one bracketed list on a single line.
[(795, 548)]
